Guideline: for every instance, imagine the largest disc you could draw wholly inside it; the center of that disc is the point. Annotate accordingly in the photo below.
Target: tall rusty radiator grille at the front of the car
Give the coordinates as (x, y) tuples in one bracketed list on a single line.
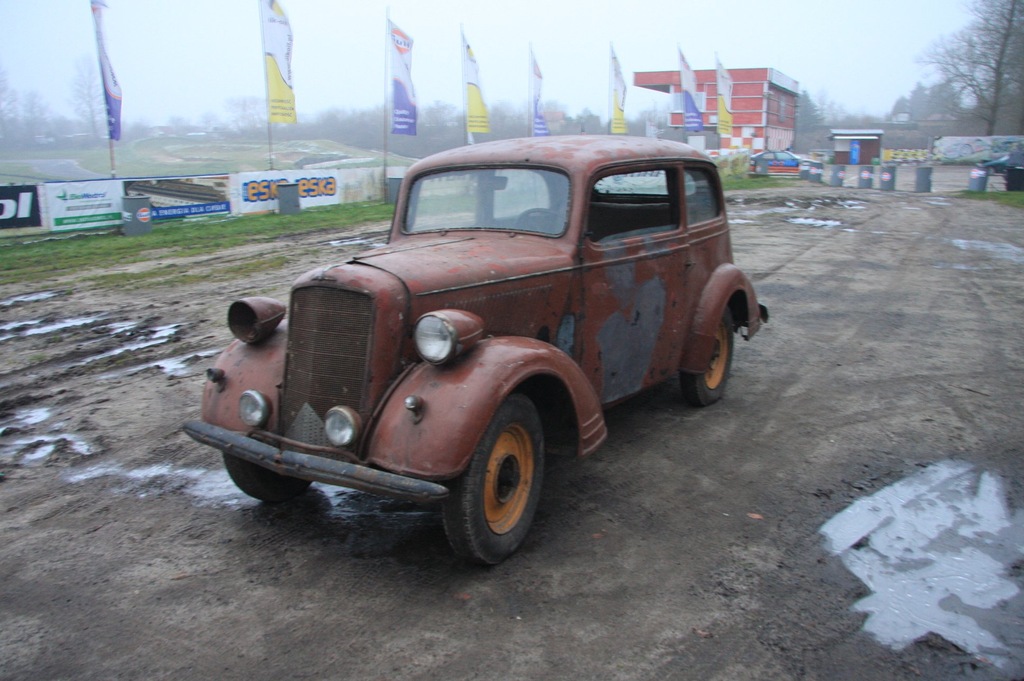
[(328, 344)]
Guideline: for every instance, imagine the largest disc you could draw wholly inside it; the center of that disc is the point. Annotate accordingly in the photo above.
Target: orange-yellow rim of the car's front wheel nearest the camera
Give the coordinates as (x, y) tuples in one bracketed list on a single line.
[(509, 479)]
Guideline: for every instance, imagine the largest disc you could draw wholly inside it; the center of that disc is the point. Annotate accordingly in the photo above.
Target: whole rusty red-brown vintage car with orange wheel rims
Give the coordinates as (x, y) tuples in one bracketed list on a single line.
[(526, 286)]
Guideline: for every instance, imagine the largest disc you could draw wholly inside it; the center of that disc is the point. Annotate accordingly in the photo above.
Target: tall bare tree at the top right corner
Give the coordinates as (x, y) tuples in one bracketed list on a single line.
[(984, 62)]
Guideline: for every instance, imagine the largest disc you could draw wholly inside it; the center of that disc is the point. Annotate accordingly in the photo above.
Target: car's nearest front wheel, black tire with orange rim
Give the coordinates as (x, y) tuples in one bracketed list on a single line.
[(491, 506)]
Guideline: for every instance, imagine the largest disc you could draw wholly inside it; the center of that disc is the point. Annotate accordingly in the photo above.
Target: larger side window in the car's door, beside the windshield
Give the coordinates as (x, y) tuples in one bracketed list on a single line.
[(633, 204)]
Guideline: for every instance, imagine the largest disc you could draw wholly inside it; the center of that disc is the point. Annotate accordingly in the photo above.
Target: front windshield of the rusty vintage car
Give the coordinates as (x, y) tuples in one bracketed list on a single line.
[(516, 199)]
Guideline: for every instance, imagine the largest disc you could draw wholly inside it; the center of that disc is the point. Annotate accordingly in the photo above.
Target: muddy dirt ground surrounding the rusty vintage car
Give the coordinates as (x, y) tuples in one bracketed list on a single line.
[(689, 547)]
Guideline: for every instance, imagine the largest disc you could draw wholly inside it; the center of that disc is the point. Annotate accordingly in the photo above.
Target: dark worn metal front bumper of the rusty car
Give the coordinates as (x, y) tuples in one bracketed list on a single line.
[(318, 470)]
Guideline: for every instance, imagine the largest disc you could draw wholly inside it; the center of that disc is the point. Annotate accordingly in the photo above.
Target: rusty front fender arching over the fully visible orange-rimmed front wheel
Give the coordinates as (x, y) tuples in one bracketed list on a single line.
[(454, 404)]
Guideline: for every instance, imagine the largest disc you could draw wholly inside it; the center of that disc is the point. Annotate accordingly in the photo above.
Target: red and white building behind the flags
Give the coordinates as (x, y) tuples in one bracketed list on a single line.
[(763, 106)]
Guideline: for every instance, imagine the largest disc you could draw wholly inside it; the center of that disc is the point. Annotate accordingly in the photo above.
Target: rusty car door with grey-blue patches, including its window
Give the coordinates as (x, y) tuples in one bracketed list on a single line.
[(634, 259)]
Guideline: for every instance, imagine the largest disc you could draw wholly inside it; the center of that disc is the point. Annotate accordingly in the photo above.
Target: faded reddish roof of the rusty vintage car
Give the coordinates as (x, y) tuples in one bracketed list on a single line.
[(572, 153)]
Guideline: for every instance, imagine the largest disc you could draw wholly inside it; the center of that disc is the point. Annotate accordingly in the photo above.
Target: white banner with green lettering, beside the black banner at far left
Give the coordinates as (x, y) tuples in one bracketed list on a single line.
[(83, 205)]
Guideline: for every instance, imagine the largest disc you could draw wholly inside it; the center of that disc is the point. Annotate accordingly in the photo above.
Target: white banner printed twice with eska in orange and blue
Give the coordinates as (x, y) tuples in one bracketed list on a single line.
[(258, 192)]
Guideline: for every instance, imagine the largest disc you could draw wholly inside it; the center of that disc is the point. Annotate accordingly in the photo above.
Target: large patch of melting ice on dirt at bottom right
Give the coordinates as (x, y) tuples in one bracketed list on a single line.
[(936, 550)]
